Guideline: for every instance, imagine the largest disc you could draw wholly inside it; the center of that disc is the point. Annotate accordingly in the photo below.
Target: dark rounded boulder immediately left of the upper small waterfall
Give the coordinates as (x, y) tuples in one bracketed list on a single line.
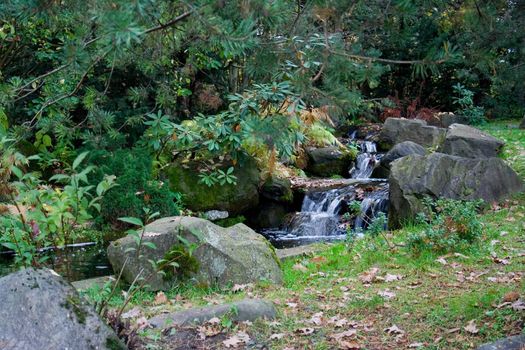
[(328, 161)]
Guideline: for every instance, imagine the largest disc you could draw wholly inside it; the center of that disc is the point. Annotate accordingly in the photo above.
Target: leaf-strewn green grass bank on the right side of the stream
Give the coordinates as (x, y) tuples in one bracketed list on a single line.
[(430, 300)]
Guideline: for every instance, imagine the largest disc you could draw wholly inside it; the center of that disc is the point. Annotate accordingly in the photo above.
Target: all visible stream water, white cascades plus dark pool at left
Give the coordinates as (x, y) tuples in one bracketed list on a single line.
[(320, 218)]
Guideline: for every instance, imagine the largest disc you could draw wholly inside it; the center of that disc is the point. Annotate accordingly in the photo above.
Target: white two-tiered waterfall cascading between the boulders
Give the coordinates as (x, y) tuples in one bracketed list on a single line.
[(322, 210)]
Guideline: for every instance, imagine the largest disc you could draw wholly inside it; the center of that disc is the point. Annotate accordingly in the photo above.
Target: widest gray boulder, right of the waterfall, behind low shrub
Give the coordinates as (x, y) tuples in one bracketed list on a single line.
[(439, 175)]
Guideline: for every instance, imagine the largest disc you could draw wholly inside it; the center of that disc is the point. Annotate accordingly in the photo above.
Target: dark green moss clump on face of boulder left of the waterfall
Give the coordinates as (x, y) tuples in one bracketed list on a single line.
[(186, 264)]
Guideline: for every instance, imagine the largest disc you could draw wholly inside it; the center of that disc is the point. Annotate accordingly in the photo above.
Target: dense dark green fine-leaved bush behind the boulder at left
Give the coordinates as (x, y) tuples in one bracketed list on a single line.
[(136, 187)]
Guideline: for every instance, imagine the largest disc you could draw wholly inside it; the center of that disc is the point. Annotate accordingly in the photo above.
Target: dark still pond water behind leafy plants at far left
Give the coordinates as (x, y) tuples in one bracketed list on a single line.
[(86, 262)]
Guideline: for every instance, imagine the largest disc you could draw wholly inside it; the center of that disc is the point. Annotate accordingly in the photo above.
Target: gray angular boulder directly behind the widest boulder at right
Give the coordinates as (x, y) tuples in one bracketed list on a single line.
[(466, 141)]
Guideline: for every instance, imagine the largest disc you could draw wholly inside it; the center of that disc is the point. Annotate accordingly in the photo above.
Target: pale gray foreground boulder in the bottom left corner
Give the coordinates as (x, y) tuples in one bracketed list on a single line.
[(40, 310)]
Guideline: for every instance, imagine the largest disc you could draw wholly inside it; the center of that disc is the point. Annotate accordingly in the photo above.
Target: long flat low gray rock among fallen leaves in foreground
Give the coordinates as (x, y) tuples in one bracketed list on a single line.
[(239, 311)]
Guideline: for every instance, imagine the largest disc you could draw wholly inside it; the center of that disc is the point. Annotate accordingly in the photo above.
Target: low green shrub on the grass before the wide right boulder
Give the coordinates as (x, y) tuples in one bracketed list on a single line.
[(447, 225)]
